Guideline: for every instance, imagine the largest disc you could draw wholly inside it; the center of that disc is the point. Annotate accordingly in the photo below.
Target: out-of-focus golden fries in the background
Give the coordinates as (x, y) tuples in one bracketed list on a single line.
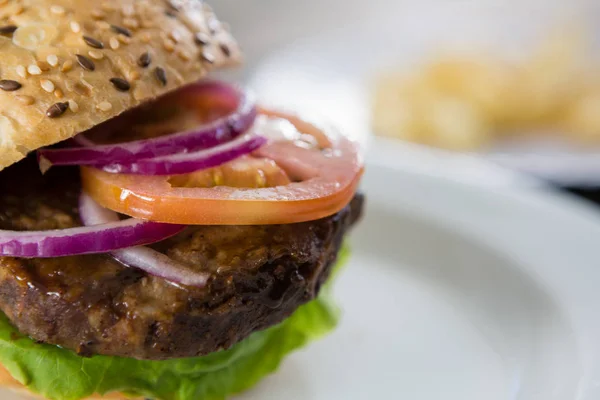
[(469, 102)]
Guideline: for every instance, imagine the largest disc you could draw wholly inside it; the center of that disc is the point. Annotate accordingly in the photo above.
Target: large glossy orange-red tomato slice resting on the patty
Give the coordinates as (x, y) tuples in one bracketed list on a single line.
[(323, 181)]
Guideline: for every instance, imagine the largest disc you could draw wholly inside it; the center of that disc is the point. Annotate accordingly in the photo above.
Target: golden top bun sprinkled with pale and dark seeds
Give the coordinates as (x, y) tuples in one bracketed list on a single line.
[(68, 65)]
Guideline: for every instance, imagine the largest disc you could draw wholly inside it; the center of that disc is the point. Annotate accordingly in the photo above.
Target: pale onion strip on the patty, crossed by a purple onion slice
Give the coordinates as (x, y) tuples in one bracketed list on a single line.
[(144, 258)]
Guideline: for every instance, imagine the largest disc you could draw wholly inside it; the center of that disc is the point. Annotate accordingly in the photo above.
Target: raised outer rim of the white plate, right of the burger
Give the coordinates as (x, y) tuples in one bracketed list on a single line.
[(518, 194)]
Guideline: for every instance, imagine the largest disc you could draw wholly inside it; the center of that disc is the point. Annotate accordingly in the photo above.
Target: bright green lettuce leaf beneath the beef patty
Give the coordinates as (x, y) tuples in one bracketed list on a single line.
[(60, 374)]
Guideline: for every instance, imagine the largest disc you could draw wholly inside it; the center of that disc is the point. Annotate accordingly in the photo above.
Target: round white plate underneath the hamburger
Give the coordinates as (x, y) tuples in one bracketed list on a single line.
[(458, 291)]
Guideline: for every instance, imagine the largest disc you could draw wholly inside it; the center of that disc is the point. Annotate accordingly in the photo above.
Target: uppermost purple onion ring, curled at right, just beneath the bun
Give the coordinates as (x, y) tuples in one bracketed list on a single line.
[(204, 137)]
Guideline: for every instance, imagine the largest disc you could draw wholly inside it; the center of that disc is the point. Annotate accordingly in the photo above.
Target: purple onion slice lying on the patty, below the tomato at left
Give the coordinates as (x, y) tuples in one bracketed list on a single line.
[(84, 240)]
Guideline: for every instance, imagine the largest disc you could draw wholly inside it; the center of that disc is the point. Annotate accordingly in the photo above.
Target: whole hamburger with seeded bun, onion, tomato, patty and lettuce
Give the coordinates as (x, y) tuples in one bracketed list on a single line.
[(161, 235)]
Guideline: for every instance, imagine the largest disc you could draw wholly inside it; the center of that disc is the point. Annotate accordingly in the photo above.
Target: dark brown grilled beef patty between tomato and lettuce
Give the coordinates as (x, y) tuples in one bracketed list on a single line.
[(95, 305)]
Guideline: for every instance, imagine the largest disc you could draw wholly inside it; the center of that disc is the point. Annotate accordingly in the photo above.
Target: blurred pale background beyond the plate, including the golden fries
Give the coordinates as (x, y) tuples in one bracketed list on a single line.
[(516, 83)]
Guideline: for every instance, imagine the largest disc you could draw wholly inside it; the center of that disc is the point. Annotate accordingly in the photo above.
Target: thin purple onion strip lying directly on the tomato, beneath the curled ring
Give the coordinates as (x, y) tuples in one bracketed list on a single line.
[(189, 162)]
